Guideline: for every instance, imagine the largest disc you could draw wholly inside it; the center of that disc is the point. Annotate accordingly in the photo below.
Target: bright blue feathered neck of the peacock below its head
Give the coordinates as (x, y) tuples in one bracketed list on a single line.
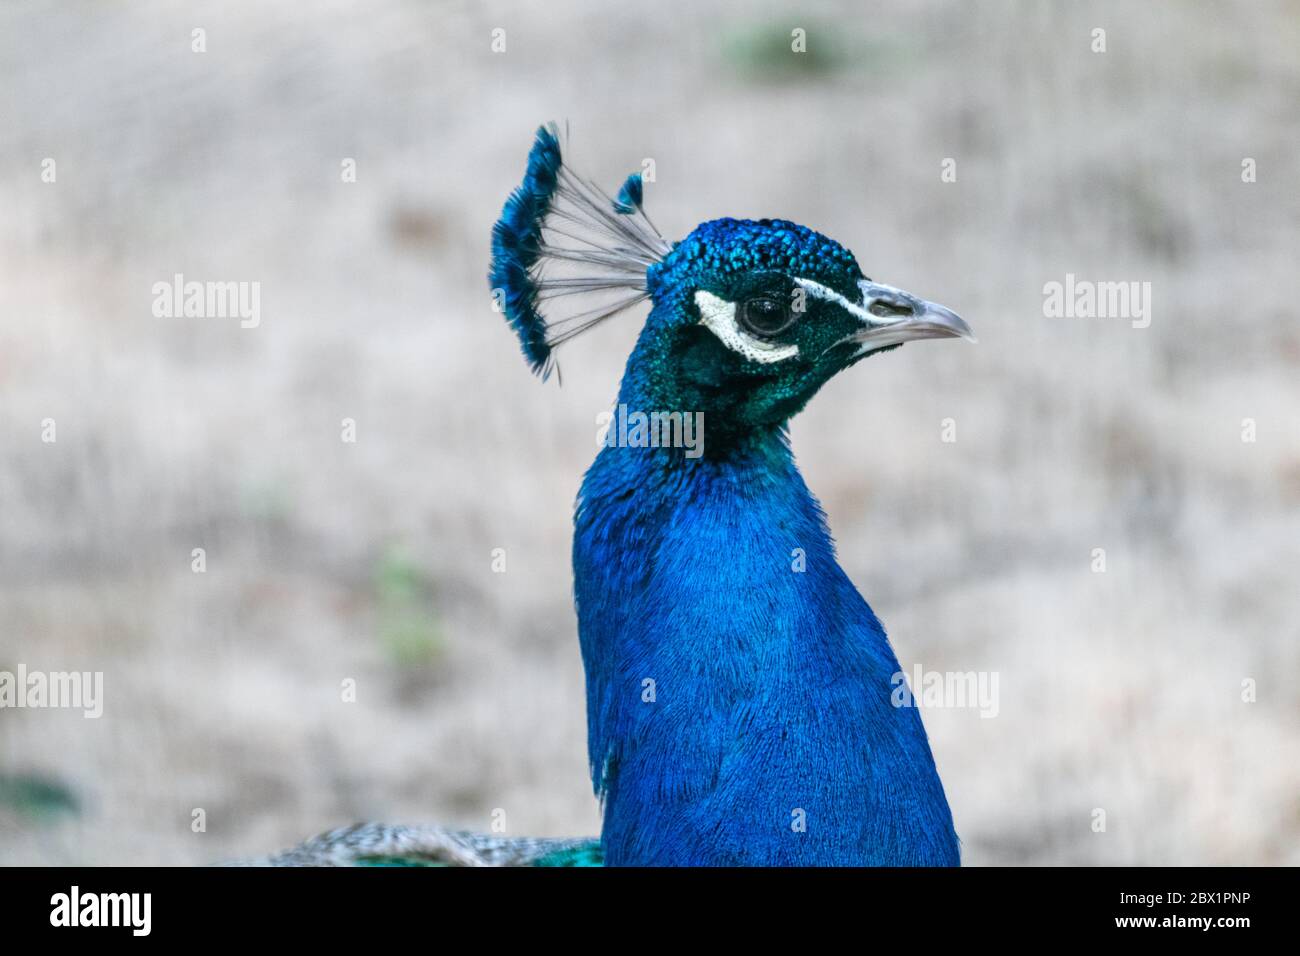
[(739, 687)]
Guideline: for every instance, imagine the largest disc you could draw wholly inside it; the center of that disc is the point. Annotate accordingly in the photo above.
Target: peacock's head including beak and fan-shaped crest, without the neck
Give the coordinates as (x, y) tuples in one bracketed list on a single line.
[(751, 317)]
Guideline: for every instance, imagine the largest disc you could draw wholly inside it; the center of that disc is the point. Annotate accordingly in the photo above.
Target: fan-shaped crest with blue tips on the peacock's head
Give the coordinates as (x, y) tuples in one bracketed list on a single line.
[(565, 256)]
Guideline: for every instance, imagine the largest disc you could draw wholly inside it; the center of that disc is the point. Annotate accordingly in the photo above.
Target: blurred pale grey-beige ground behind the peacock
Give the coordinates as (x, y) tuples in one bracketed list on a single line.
[(372, 561)]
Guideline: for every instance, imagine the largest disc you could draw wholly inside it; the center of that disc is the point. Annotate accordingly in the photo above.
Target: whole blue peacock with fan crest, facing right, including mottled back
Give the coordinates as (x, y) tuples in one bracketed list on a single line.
[(739, 689)]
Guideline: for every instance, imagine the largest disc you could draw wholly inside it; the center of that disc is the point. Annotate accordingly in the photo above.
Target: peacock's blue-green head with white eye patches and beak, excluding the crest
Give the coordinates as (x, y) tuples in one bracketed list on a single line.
[(752, 318)]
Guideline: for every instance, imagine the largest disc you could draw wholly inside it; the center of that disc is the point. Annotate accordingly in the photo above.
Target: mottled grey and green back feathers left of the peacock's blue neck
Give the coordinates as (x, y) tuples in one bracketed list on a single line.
[(380, 845)]
